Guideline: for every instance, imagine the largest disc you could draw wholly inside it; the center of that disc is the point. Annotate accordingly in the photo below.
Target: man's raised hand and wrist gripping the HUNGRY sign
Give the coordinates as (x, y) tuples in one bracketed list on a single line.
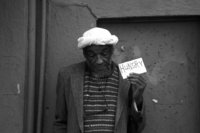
[(140, 83)]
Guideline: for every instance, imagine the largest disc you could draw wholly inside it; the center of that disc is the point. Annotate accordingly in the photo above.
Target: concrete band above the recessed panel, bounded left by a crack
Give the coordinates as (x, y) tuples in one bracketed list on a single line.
[(130, 8)]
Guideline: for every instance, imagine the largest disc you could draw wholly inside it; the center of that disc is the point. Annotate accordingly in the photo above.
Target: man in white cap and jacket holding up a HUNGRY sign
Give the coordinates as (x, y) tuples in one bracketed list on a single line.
[(92, 96)]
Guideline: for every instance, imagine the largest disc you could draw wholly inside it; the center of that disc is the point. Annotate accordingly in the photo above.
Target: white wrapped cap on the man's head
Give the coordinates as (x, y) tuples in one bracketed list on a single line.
[(97, 36)]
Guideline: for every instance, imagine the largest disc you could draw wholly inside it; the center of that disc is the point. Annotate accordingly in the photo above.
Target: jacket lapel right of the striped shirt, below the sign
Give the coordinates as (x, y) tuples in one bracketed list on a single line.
[(124, 86)]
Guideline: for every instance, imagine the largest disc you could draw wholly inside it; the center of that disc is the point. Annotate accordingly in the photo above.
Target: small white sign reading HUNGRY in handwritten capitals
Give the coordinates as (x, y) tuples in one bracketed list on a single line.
[(134, 66)]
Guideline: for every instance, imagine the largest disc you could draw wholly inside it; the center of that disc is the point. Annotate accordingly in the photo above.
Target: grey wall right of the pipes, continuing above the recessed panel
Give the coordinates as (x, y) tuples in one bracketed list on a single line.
[(68, 19)]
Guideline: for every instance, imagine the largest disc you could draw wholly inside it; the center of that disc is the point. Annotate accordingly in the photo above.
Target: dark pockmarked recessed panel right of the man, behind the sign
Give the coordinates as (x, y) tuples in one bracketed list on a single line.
[(170, 54)]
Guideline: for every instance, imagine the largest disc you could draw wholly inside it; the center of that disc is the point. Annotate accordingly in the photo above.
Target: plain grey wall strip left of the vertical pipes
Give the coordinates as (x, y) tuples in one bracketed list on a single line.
[(13, 48)]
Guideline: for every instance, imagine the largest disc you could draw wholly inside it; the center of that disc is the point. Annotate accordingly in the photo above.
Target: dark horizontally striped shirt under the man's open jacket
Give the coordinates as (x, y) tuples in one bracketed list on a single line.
[(100, 101)]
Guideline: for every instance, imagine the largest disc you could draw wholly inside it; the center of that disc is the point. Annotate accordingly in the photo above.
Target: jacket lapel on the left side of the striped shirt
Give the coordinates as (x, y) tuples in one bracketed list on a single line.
[(77, 89)]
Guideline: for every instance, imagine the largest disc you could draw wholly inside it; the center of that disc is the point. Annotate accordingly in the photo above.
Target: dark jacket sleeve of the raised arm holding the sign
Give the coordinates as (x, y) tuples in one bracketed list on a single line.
[(138, 117)]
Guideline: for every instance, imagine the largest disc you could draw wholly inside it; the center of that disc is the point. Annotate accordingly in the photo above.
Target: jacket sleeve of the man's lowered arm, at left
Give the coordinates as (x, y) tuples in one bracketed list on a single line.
[(60, 123)]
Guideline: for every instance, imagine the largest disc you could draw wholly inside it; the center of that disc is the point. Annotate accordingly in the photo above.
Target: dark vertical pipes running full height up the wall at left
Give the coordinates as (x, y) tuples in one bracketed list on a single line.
[(34, 87)]
